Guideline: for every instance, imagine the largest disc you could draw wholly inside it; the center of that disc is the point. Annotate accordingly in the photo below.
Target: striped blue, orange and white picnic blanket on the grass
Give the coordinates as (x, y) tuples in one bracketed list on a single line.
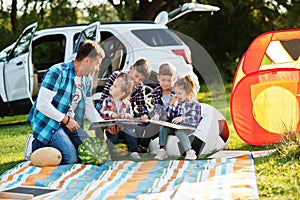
[(218, 178)]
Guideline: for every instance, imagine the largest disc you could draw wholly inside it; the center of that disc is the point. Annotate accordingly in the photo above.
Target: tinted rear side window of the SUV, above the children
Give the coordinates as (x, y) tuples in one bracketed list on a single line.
[(157, 37)]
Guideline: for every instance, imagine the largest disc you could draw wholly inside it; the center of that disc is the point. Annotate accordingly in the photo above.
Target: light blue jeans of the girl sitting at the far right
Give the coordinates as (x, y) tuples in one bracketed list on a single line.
[(181, 134)]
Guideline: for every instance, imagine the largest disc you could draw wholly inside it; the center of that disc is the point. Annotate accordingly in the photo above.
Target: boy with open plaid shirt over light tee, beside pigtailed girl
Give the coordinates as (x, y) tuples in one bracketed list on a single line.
[(161, 96)]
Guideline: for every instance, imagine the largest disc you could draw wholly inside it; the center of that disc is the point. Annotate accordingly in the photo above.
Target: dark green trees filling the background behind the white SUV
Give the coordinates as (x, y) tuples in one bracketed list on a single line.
[(225, 35)]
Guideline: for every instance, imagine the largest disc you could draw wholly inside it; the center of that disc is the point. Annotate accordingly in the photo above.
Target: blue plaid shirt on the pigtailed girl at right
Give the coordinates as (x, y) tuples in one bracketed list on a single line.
[(191, 112)]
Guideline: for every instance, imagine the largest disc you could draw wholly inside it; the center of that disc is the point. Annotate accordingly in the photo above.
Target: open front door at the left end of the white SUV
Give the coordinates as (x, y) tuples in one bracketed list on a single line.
[(17, 70)]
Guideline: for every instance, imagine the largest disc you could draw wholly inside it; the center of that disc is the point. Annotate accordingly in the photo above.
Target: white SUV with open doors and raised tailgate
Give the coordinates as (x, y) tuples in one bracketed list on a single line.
[(23, 64)]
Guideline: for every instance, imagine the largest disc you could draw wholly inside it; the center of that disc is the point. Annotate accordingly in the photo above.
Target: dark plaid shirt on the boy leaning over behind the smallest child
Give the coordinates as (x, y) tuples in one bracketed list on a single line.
[(137, 96)]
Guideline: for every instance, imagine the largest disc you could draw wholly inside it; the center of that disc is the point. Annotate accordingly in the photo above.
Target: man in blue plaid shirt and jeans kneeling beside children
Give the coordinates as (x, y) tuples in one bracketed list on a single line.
[(65, 96)]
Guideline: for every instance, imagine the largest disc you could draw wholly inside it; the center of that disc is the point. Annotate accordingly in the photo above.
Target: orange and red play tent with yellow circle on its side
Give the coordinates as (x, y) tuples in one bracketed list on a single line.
[(265, 95)]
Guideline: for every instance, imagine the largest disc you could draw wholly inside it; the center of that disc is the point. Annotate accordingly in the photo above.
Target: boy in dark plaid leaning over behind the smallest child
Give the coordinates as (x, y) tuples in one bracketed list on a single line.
[(138, 72)]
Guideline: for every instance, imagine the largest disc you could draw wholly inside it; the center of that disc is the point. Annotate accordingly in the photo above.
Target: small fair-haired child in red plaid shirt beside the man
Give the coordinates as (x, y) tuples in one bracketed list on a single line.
[(116, 106)]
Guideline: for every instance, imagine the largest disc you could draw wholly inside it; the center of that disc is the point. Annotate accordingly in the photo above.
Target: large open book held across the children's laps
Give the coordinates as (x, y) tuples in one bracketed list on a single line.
[(134, 122)]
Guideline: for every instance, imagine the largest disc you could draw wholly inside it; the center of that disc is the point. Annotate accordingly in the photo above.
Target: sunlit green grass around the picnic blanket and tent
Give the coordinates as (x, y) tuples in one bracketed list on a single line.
[(278, 175)]
